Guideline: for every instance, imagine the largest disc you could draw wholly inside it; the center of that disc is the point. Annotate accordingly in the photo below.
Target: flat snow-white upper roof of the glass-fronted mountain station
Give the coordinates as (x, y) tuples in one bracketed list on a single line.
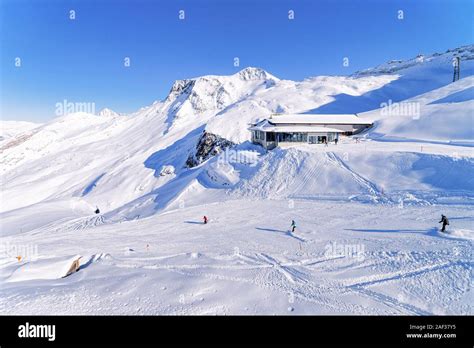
[(318, 119)]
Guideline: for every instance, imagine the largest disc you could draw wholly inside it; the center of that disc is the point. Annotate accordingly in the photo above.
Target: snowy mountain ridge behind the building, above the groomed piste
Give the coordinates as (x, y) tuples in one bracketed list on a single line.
[(139, 162)]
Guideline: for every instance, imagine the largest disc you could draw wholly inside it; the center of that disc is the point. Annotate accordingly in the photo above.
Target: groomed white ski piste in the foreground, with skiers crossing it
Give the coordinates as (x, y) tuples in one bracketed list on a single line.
[(344, 258)]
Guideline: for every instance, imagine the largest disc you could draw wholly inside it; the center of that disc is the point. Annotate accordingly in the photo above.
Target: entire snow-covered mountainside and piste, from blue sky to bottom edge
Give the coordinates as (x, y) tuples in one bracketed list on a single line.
[(154, 173)]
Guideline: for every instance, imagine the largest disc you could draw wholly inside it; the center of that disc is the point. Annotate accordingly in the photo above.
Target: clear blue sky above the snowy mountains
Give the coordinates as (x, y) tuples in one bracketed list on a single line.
[(82, 60)]
